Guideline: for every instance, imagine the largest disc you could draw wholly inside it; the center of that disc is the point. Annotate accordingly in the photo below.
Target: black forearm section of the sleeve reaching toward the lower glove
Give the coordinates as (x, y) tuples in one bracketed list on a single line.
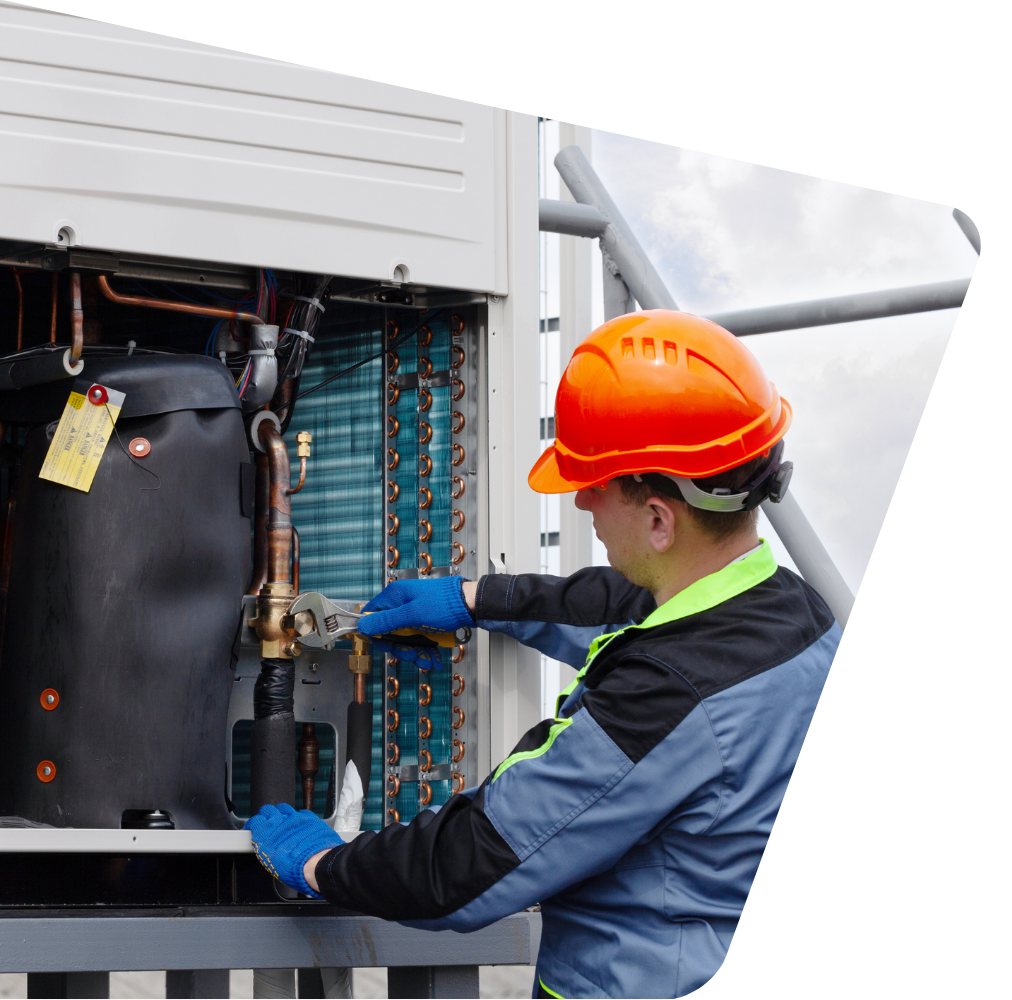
[(432, 867)]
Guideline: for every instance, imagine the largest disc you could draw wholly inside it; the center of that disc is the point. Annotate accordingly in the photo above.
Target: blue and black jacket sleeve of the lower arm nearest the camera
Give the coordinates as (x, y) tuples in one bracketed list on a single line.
[(571, 800)]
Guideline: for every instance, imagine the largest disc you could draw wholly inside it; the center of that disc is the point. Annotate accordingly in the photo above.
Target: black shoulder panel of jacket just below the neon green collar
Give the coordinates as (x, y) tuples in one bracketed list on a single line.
[(645, 683)]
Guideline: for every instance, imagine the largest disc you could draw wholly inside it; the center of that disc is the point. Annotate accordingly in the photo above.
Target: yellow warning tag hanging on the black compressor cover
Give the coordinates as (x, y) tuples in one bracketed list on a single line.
[(80, 440)]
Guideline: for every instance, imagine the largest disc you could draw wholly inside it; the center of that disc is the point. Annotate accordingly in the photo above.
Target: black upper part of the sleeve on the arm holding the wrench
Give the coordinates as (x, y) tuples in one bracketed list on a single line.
[(594, 597)]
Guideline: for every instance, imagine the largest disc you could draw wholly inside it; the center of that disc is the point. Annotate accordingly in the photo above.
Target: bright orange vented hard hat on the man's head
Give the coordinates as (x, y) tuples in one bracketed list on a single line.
[(659, 391)]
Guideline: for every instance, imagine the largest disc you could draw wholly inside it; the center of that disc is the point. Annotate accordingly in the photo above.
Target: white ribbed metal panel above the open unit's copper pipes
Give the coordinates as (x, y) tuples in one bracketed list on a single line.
[(142, 143)]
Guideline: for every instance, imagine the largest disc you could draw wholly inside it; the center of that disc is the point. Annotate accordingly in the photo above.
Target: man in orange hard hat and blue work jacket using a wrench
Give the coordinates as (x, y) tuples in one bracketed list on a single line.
[(639, 815)]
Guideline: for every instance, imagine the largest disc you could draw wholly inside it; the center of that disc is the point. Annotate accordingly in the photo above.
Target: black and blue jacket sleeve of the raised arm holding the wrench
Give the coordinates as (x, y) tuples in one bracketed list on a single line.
[(561, 617)]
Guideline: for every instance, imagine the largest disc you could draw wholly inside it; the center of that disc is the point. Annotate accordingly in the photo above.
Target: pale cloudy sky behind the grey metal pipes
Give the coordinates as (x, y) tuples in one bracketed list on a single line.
[(730, 235)]
